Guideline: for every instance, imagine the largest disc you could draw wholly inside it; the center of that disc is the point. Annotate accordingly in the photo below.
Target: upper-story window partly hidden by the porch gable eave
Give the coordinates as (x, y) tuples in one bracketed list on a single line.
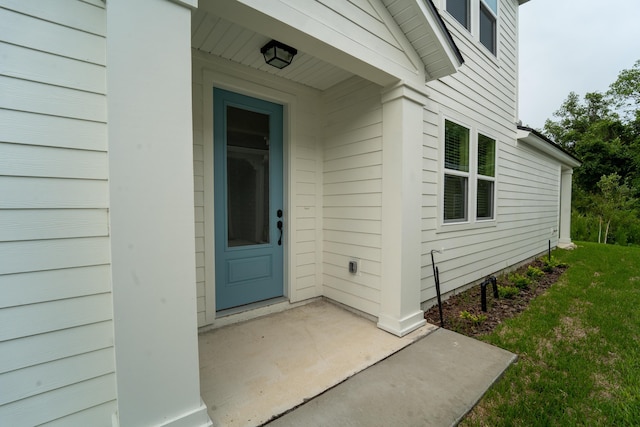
[(480, 17)]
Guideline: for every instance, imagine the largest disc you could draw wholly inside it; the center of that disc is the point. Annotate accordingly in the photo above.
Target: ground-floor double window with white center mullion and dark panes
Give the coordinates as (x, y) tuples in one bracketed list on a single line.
[(469, 186)]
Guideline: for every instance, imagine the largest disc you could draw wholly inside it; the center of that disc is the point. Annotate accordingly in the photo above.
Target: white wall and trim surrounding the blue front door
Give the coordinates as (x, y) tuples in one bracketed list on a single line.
[(303, 177)]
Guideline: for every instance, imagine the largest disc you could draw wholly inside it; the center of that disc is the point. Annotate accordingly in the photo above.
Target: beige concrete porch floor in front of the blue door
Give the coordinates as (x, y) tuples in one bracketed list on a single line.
[(252, 371)]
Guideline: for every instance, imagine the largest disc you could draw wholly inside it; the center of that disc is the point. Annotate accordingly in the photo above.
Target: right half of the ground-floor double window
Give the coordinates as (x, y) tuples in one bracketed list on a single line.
[(486, 171)]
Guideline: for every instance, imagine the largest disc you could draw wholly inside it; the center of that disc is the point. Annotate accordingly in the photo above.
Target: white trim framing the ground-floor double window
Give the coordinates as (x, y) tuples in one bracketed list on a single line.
[(472, 222)]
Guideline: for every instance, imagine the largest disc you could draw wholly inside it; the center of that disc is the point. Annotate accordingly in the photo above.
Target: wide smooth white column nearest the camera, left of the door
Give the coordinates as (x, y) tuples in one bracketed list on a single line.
[(151, 213)]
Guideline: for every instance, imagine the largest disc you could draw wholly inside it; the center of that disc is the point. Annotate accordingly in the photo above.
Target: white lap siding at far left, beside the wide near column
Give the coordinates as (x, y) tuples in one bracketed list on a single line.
[(56, 319)]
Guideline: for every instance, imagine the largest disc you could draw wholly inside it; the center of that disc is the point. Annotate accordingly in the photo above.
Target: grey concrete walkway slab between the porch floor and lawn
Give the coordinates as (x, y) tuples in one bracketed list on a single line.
[(433, 382)]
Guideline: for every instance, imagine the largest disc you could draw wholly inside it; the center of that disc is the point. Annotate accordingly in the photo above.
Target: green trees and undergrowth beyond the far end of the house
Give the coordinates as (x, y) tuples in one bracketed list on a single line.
[(603, 131)]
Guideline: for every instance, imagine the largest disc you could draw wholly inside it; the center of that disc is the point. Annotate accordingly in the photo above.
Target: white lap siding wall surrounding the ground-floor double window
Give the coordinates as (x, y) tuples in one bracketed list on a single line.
[(483, 94)]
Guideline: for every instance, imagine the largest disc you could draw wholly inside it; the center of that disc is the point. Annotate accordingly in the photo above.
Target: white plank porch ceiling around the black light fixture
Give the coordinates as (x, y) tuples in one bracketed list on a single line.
[(216, 36)]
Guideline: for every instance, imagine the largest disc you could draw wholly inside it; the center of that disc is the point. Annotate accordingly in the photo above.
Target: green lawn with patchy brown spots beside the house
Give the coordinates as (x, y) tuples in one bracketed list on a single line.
[(578, 348)]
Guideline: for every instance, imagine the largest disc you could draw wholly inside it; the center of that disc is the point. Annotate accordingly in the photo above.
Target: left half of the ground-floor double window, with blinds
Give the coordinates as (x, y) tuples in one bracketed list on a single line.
[(456, 179)]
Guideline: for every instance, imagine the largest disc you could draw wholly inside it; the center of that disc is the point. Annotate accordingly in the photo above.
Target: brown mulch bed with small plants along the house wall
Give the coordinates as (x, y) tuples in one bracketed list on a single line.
[(498, 310)]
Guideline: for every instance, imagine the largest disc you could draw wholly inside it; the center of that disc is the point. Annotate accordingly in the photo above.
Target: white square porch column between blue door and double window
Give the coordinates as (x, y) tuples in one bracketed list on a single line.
[(402, 136)]
